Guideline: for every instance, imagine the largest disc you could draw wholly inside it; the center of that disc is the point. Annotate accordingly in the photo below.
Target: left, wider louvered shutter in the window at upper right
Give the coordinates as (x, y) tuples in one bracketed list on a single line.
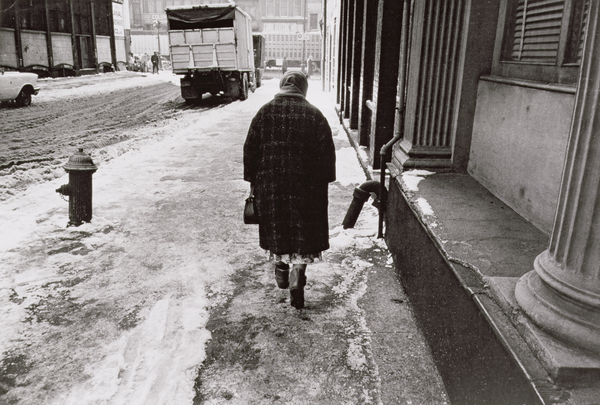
[(537, 31)]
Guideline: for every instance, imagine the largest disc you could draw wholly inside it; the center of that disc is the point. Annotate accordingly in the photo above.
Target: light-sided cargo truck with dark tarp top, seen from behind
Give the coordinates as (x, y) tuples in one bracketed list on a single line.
[(211, 46)]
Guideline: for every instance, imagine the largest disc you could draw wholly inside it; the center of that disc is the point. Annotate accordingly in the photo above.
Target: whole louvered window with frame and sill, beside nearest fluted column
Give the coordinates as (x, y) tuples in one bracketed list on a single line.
[(543, 40)]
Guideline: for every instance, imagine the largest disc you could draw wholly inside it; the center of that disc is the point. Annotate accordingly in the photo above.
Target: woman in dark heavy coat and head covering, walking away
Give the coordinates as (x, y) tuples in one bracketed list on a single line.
[(289, 159)]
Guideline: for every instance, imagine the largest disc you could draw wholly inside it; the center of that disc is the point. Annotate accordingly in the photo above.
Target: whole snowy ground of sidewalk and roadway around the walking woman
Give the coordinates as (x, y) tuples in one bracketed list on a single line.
[(165, 297)]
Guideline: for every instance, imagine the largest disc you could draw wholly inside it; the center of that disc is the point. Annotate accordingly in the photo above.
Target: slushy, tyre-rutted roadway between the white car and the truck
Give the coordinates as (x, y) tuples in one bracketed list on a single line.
[(81, 112)]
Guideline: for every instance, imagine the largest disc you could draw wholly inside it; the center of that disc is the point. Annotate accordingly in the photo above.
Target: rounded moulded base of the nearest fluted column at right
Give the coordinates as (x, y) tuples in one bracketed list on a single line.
[(553, 305)]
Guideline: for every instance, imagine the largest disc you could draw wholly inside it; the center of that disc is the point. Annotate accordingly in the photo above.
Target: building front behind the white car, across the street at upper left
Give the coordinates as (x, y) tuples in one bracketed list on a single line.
[(62, 37)]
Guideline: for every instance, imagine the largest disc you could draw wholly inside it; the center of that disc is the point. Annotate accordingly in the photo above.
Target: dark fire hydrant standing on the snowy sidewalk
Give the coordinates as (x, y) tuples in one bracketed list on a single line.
[(80, 168)]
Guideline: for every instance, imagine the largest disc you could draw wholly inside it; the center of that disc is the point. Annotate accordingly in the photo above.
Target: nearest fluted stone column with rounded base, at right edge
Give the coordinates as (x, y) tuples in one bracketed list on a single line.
[(562, 294)]
